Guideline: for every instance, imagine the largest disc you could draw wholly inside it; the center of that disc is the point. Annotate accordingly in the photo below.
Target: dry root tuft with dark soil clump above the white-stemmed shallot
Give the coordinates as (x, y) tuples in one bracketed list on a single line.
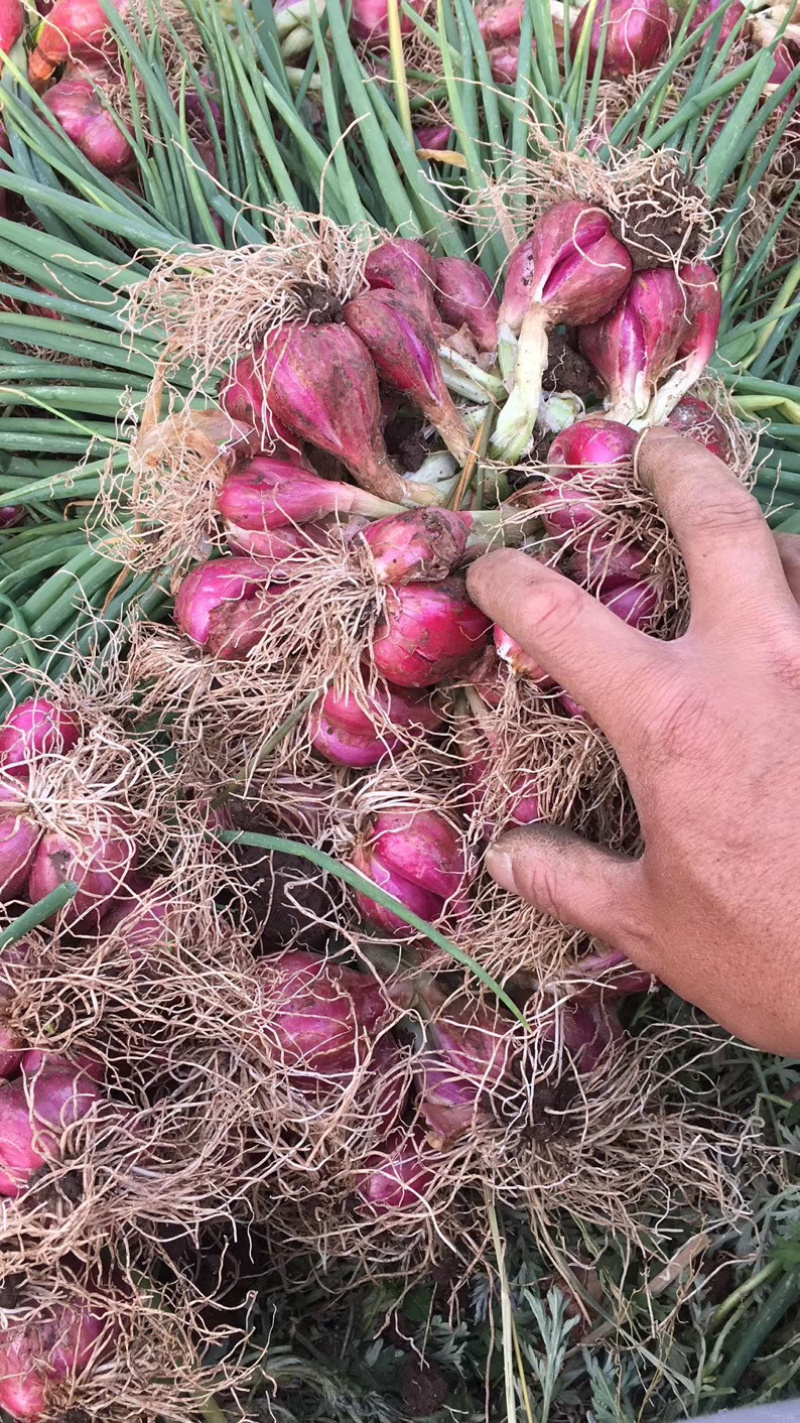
[(663, 218)]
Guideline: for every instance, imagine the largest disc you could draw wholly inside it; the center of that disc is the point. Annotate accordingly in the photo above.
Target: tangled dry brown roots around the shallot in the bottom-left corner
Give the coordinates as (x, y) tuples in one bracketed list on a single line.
[(150, 1364)]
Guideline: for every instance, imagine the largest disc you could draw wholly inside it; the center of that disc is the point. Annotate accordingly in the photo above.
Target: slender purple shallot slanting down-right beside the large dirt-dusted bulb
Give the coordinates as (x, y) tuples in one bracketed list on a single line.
[(404, 348)]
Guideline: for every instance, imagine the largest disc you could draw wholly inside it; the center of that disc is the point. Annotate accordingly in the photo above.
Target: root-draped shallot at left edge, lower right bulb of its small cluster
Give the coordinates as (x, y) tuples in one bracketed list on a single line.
[(99, 864)]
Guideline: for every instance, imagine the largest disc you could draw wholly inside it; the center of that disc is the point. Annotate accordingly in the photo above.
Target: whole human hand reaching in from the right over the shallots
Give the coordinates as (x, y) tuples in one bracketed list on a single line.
[(708, 732)]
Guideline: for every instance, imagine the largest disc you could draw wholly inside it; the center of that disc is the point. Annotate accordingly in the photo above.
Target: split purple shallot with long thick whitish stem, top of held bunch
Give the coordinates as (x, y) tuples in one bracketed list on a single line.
[(572, 270)]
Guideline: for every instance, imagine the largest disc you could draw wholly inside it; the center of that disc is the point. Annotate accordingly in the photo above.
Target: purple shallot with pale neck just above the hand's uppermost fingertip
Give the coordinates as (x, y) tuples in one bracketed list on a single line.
[(636, 345)]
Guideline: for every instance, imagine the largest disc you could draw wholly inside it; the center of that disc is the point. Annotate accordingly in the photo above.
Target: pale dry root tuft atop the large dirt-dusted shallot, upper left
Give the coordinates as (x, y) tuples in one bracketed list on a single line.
[(217, 307)]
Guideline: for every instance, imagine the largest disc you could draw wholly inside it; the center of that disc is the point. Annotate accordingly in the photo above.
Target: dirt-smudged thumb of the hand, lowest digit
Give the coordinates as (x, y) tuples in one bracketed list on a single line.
[(584, 886)]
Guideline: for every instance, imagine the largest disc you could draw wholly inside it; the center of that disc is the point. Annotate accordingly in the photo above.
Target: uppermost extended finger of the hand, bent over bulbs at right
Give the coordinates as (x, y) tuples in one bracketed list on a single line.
[(731, 556)]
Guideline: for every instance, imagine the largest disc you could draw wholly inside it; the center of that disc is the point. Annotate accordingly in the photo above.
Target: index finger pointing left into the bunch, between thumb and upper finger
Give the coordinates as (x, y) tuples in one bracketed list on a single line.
[(597, 657)]
